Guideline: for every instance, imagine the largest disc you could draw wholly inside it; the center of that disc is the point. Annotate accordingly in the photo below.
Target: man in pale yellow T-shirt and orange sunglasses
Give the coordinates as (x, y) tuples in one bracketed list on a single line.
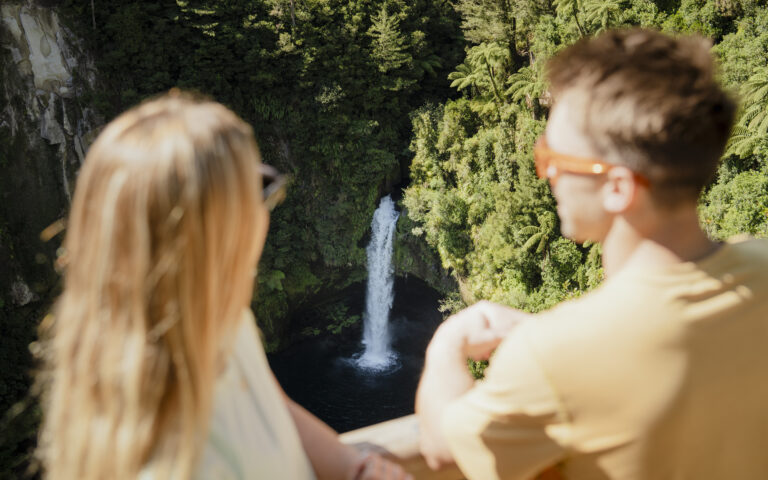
[(662, 372)]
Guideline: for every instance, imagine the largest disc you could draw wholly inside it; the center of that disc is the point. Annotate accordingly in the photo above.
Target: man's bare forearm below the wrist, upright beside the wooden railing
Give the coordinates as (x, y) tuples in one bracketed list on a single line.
[(445, 378)]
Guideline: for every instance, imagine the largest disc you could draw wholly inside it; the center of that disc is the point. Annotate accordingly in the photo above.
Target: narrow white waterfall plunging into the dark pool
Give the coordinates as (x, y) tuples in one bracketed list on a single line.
[(379, 296)]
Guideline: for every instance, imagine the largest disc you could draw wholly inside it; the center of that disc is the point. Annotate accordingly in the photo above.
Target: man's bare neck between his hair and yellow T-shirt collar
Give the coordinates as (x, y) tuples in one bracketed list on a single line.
[(655, 238)]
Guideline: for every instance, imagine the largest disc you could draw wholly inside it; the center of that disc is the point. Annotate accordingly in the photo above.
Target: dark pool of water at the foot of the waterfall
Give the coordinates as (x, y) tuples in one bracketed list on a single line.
[(320, 373)]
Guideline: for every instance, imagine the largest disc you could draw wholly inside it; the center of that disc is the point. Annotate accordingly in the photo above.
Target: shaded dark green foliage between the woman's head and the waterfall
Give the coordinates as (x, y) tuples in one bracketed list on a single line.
[(328, 87)]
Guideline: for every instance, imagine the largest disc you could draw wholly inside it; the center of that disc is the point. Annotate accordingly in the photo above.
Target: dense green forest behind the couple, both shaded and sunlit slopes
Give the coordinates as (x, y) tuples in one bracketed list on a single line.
[(443, 97)]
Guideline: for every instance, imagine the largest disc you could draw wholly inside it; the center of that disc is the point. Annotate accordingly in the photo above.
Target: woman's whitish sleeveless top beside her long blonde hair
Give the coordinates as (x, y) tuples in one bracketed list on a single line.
[(252, 434)]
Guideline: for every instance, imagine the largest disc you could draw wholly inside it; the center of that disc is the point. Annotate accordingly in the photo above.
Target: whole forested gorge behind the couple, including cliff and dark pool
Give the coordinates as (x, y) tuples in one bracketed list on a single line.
[(436, 103)]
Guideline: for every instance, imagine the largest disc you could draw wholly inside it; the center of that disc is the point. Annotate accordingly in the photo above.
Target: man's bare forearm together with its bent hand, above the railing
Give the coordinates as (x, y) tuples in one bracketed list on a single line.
[(472, 333)]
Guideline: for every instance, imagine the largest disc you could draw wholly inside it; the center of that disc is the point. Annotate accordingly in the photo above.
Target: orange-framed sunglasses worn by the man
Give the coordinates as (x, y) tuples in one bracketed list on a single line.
[(550, 164)]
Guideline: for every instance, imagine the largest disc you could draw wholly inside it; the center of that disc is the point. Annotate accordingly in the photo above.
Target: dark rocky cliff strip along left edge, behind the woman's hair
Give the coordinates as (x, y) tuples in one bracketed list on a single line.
[(45, 129)]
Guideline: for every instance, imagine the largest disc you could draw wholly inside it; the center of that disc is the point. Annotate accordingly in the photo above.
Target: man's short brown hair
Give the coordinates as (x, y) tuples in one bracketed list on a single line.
[(652, 104)]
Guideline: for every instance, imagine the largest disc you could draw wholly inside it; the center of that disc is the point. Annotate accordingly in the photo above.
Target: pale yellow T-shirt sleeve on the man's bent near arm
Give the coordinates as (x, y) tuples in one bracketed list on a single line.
[(510, 425)]
